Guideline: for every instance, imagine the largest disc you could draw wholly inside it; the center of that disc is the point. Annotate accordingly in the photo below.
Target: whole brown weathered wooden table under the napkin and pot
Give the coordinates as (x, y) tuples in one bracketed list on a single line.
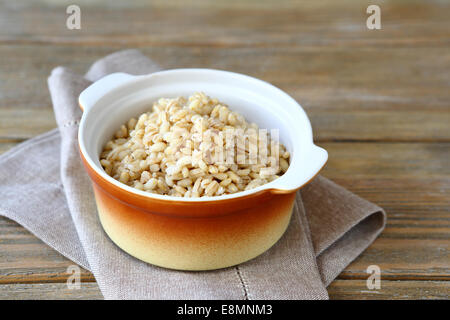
[(379, 101)]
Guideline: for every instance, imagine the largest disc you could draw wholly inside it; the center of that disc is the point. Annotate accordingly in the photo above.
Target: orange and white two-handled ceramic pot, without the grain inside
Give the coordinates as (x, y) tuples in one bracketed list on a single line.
[(195, 233)]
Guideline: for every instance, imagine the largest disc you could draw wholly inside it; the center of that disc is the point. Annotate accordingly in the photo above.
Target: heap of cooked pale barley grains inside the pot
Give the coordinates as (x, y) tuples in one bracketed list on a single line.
[(178, 149)]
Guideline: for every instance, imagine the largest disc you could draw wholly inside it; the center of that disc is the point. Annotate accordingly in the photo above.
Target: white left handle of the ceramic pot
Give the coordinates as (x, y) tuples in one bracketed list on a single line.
[(98, 89)]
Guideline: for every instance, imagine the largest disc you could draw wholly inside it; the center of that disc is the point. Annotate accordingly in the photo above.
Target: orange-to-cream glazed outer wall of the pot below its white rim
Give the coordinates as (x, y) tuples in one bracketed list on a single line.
[(192, 235)]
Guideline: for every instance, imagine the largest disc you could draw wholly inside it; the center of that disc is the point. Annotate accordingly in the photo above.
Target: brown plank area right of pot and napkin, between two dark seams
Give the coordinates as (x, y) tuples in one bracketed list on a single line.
[(412, 183)]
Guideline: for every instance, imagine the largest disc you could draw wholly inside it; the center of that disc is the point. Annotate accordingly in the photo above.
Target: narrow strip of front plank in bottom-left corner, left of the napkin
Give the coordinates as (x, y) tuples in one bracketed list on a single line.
[(49, 291)]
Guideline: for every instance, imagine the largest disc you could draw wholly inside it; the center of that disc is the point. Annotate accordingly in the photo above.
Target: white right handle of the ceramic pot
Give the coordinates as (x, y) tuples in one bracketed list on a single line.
[(298, 176)]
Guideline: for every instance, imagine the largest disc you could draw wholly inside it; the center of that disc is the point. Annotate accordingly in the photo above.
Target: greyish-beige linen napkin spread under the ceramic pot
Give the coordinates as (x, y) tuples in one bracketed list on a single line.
[(44, 187)]
